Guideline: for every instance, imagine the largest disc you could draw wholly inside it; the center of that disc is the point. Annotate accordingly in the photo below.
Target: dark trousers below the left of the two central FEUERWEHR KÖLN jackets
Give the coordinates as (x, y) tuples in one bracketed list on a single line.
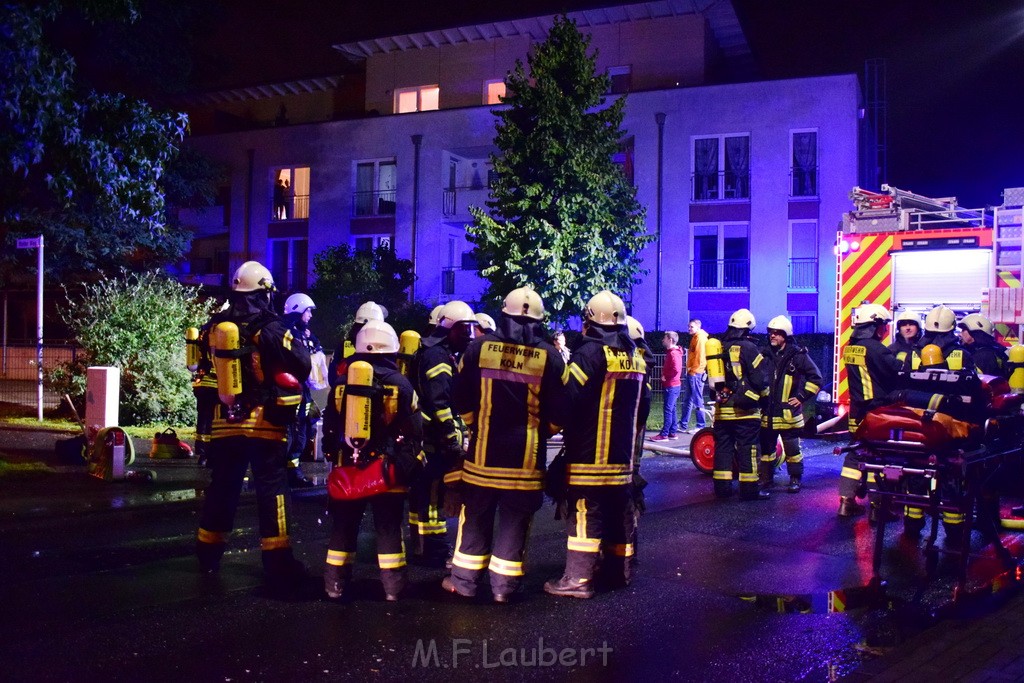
[(480, 547)]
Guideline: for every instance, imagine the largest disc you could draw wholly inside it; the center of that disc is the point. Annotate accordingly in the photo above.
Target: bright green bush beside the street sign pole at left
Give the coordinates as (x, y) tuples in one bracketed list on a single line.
[(136, 323)]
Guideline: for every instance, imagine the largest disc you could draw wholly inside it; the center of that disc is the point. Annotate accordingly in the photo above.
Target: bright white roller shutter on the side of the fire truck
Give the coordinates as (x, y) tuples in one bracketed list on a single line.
[(925, 278)]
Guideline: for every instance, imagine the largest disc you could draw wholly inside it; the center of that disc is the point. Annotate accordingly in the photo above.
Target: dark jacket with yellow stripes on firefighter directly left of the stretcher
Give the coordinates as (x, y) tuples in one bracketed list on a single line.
[(872, 372)]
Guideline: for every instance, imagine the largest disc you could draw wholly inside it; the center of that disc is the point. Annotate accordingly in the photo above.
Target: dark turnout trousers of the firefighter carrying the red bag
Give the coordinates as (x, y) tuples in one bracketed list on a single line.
[(348, 516)]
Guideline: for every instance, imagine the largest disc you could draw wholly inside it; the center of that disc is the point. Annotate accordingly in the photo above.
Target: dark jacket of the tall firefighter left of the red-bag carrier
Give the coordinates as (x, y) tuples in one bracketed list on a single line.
[(269, 355)]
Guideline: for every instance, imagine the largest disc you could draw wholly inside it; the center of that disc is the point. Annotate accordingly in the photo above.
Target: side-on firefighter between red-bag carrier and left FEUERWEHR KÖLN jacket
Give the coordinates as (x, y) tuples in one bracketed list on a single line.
[(444, 431)]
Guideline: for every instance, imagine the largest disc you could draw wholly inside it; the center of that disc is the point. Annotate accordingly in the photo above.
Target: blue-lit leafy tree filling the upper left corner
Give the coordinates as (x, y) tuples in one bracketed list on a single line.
[(82, 167)]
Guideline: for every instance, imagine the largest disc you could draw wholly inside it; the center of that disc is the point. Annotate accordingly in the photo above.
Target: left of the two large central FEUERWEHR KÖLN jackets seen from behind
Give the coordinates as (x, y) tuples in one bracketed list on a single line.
[(509, 390)]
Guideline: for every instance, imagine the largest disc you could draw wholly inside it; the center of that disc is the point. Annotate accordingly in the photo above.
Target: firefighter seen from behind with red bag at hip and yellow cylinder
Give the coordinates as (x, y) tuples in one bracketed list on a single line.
[(396, 434)]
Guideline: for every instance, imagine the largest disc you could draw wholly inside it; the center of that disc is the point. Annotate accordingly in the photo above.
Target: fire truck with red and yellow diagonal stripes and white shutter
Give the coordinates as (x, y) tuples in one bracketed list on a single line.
[(910, 252)]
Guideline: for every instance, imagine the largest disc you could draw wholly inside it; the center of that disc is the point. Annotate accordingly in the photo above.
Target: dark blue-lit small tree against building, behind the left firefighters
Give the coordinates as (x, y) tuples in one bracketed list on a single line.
[(347, 279)]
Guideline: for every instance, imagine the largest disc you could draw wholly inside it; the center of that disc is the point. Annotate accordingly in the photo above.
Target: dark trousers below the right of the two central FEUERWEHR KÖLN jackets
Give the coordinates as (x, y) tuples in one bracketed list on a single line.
[(602, 524)]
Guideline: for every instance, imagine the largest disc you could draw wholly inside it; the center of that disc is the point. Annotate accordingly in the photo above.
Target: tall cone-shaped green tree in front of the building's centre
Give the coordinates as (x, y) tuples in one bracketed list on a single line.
[(564, 218)]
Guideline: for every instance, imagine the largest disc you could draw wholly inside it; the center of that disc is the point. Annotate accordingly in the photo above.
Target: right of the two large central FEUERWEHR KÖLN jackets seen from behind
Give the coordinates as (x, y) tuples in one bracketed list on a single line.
[(607, 389)]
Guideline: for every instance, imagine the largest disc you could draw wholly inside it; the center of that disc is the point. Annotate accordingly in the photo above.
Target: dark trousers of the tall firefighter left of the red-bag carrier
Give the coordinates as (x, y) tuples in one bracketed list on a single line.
[(229, 459)]
